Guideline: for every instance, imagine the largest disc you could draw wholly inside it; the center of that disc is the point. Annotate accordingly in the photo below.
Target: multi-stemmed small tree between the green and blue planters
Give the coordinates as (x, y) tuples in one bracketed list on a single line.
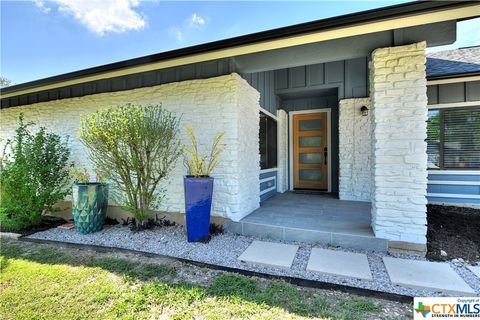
[(137, 147)]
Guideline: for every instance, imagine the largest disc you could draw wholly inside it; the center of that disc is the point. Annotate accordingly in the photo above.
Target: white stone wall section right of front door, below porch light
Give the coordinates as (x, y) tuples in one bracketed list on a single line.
[(355, 136)]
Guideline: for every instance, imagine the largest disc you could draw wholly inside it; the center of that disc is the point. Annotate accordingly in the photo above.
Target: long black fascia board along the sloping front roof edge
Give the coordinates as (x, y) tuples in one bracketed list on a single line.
[(289, 31)]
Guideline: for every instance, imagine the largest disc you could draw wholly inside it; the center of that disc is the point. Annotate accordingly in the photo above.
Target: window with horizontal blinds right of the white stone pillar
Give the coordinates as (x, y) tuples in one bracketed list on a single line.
[(453, 138)]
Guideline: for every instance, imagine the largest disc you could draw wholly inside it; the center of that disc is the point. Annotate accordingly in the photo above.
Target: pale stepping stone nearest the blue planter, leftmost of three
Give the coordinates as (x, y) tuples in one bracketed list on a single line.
[(269, 254)]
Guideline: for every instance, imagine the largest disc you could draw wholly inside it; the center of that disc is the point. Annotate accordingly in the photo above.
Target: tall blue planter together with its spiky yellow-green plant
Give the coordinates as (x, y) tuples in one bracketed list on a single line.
[(198, 187)]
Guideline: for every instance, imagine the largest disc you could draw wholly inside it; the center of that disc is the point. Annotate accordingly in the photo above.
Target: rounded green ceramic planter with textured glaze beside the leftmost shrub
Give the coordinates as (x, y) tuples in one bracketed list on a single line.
[(89, 203)]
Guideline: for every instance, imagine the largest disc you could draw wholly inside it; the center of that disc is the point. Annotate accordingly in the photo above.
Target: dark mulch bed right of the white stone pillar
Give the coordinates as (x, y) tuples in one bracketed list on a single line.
[(455, 230)]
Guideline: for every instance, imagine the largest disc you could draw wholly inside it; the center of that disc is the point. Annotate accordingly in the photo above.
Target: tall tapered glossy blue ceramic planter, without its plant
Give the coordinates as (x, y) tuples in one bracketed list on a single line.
[(198, 203)]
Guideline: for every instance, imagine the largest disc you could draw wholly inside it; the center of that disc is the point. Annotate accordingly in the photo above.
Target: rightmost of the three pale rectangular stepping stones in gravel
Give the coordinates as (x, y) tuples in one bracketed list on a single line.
[(437, 276)]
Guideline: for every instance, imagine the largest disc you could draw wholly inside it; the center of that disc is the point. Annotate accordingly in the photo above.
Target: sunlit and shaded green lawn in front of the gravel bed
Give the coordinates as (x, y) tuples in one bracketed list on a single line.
[(44, 283)]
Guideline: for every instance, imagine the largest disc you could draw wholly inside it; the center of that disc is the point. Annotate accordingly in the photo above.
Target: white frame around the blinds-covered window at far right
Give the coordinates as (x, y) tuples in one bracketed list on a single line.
[(441, 110)]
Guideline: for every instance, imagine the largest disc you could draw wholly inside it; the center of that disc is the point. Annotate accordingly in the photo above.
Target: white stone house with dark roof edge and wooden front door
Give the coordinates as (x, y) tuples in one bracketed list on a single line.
[(338, 105)]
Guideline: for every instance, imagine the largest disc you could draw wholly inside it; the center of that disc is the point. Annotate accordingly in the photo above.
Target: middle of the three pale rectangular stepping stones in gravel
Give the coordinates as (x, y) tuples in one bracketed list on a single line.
[(339, 263)]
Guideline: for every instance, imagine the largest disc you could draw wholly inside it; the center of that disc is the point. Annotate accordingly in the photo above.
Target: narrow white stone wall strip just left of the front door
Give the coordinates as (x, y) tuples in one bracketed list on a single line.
[(282, 151)]
